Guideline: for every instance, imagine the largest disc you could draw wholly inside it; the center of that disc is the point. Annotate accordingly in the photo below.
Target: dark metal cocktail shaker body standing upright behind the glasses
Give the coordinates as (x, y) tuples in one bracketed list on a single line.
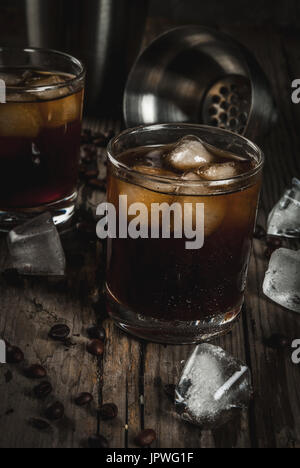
[(105, 34)]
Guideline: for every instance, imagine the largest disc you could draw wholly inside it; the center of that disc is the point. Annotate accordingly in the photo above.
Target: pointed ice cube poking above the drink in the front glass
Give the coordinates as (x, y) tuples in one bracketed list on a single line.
[(189, 153)]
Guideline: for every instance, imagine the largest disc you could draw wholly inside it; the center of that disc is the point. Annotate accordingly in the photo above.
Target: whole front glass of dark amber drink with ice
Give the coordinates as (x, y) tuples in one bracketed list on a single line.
[(158, 288)]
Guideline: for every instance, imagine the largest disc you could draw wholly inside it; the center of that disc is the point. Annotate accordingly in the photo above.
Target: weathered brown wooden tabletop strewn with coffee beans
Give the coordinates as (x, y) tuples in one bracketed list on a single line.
[(132, 373)]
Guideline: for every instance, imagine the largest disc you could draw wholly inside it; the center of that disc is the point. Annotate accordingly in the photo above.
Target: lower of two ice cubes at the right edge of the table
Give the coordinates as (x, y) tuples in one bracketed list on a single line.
[(282, 281)]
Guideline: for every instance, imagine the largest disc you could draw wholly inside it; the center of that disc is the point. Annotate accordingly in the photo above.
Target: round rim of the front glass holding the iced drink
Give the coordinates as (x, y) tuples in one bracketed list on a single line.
[(177, 181)]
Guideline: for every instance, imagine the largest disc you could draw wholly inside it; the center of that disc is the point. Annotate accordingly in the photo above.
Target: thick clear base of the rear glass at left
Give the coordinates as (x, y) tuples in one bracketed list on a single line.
[(62, 212)]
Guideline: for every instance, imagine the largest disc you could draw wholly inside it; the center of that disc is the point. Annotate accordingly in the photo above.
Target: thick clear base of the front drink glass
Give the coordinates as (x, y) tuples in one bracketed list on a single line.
[(173, 332)]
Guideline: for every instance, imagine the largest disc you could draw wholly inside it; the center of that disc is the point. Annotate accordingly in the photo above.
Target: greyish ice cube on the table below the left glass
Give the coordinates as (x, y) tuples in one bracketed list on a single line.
[(35, 248)]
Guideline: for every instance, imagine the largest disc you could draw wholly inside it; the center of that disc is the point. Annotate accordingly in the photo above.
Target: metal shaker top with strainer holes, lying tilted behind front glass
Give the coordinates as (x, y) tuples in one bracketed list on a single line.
[(194, 74)]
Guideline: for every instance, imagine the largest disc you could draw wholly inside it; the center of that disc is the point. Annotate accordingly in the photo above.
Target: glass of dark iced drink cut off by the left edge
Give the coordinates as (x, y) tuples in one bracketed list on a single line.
[(40, 126)]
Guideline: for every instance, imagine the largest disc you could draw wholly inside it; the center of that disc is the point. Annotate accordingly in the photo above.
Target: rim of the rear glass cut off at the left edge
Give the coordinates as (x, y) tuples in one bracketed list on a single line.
[(33, 89)]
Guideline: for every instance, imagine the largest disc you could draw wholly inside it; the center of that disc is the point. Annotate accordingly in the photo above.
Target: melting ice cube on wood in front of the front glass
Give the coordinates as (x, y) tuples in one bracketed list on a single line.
[(213, 387)]
